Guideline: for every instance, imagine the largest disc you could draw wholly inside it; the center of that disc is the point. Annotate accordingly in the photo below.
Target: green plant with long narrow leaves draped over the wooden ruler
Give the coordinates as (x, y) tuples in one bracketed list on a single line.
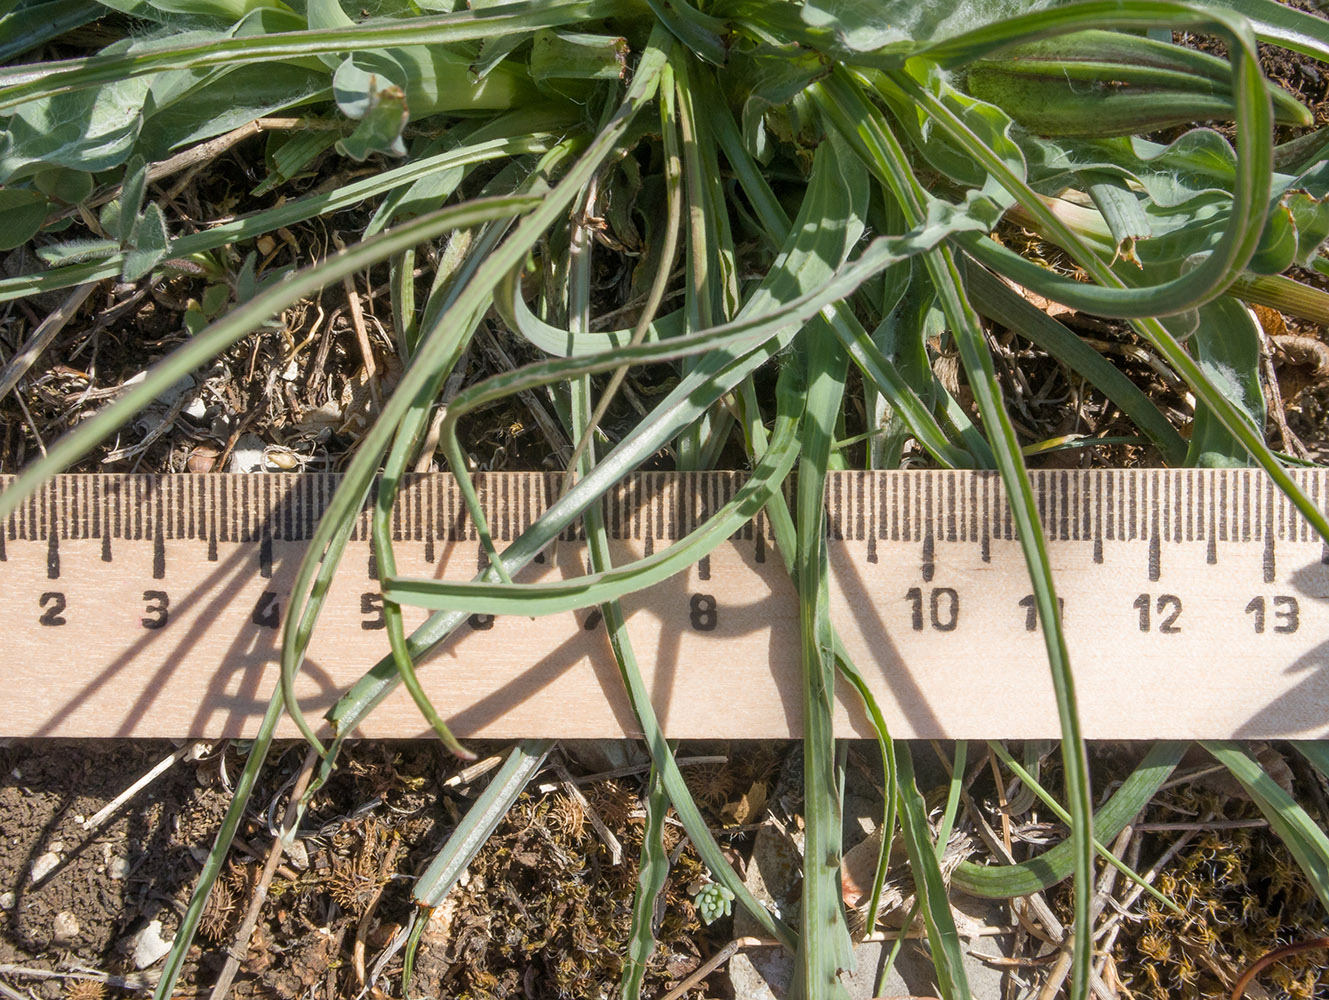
[(516, 126)]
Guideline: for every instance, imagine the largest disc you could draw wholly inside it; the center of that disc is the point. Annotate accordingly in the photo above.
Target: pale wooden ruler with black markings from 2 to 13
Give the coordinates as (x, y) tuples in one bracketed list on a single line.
[(1197, 604)]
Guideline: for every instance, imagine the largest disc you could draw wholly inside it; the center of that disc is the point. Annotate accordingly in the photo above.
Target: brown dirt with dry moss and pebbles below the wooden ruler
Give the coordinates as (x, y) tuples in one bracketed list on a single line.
[(544, 910)]
